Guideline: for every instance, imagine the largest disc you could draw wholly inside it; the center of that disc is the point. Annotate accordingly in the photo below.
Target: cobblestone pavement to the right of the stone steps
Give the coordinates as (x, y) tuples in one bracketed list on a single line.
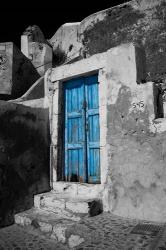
[(114, 233)]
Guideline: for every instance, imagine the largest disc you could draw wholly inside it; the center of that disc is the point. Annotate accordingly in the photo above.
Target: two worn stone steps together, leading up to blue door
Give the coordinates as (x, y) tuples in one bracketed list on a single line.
[(54, 213)]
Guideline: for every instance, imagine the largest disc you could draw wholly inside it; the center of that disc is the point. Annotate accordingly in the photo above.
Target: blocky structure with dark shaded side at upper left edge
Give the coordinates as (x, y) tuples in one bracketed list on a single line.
[(17, 74)]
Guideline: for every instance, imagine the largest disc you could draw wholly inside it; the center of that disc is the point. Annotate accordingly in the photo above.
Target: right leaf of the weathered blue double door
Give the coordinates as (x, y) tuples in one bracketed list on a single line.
[(93, 129)]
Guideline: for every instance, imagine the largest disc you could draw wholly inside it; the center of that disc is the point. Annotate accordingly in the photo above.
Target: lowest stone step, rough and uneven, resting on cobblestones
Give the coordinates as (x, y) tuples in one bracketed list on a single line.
[(48, 223)]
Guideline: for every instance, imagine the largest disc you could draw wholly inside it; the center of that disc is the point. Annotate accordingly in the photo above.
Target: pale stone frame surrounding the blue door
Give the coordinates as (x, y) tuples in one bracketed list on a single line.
[(54, 80)]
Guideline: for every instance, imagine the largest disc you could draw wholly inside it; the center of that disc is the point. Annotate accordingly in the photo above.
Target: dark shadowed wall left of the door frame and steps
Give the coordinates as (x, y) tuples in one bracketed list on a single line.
[(24, 158)]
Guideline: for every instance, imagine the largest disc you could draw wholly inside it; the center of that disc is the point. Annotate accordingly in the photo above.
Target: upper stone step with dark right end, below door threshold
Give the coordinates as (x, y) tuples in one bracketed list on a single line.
[(65, 204)]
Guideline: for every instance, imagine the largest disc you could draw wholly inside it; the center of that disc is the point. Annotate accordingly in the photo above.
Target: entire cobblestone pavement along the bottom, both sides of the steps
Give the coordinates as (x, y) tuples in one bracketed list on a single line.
[(105, 231)]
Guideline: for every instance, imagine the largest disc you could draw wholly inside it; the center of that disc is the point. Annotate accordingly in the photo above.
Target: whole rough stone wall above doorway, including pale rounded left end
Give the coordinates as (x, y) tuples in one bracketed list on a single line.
[(140, 22)]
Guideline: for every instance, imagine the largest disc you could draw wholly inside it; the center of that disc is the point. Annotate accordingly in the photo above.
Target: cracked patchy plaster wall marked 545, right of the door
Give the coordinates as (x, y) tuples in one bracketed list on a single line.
[(136, 148)]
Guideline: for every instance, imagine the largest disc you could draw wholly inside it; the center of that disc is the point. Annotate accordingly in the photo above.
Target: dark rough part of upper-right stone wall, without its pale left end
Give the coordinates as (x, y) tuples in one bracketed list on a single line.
[(141, 22)]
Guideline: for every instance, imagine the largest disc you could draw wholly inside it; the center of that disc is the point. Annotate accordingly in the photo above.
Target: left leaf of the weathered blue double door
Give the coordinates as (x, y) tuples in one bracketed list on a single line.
[(74, 131)]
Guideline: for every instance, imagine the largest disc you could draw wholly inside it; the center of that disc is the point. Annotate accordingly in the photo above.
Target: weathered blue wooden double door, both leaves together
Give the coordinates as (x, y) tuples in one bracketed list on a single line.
[(82, 154)]
